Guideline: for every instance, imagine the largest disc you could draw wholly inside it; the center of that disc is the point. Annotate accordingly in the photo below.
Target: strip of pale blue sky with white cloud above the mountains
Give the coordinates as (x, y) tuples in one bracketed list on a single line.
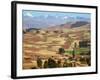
[(55, 14)]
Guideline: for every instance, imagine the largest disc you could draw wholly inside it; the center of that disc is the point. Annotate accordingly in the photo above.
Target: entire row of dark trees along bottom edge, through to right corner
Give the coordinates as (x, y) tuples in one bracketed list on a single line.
[(52, 63)]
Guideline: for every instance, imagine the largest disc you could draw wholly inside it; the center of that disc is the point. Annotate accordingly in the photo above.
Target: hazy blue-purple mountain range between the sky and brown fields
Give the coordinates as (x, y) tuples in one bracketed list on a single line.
[(42, 22)]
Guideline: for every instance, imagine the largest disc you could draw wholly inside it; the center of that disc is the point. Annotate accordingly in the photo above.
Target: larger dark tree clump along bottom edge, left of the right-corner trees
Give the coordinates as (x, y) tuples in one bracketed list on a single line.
[(52, 63)]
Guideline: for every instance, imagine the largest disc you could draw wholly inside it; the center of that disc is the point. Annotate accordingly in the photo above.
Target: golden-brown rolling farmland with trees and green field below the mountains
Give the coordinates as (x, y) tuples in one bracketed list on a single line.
[(44, 44)]
